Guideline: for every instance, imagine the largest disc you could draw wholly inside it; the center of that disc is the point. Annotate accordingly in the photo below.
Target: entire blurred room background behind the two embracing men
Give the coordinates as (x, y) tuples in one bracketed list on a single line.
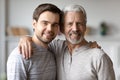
[(103, 26)]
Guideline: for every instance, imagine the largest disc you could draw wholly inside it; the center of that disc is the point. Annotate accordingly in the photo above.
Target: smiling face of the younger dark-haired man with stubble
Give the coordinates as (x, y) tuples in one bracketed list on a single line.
[(46, 28)]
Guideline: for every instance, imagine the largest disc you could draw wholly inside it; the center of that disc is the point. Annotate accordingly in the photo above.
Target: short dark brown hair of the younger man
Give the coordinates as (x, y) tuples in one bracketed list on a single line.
[(46, 7)]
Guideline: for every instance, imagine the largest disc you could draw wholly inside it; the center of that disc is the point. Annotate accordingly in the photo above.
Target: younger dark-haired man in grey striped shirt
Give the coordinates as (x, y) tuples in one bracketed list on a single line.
[(41, 66)]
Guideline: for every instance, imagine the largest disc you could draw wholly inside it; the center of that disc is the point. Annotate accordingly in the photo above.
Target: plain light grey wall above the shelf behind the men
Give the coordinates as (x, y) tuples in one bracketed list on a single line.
[(20, 12)]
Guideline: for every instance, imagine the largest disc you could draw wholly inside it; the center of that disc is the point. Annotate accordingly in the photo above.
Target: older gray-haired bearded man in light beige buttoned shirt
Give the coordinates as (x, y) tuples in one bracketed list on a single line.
[(75, 59)]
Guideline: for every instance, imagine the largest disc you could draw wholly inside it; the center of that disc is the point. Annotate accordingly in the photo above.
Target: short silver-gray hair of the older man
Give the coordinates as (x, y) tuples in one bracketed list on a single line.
[(76, 8)]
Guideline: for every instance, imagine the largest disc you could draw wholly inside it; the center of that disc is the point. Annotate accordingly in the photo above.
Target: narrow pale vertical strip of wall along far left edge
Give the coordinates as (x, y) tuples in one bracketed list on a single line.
[(2, 40)]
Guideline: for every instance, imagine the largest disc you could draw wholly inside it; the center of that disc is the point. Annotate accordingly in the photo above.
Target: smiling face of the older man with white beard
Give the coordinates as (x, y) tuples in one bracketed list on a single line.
[(74, 27)]
